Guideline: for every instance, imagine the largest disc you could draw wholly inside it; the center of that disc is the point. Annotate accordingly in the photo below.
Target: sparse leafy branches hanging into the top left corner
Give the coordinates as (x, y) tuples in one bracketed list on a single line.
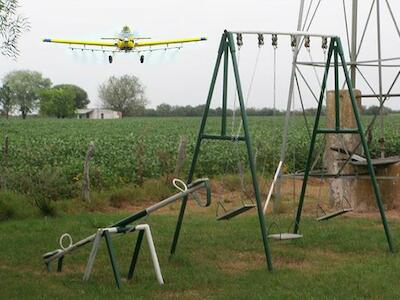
[(12, 25)]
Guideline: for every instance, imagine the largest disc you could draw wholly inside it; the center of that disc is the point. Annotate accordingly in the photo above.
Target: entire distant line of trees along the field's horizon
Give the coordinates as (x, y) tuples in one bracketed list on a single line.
[(29, 91)]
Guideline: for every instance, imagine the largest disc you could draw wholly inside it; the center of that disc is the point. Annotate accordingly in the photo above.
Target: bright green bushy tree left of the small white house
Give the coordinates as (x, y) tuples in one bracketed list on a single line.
[(57, 102)]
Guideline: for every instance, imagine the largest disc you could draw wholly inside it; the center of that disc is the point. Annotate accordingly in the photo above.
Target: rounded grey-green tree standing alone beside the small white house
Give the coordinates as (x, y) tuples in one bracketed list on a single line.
[(125, 94)]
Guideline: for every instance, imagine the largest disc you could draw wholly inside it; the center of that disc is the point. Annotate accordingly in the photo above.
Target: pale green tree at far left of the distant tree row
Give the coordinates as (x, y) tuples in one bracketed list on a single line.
[(26, 86)]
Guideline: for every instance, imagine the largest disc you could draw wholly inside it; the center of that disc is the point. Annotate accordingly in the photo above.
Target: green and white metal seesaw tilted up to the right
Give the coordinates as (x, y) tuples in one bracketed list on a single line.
[(123, 226)]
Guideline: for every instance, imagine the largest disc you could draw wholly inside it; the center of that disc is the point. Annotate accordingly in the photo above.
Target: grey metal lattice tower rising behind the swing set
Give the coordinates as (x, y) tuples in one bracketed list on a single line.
[(307, 13)]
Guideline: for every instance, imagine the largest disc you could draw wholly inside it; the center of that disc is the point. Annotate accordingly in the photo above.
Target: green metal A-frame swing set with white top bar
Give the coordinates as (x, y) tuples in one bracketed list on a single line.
[(227, 50)]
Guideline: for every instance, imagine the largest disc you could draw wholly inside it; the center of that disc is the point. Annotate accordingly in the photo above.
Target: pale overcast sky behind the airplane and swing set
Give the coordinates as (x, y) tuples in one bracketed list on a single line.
[(183, 77)]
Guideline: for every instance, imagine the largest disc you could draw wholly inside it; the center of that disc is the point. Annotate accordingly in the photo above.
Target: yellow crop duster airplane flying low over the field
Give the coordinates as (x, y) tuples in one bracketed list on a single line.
[(126, 42)]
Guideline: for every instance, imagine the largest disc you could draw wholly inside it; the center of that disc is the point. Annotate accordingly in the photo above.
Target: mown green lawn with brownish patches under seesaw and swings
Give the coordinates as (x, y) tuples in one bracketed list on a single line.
[(344, 258)]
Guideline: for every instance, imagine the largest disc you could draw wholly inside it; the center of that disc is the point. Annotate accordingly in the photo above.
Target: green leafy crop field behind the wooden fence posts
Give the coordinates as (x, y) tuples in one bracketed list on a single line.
[(49, 149)]
